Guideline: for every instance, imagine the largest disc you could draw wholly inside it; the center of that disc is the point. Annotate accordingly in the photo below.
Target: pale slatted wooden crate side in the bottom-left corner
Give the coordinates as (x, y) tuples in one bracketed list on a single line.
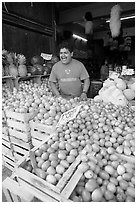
[(15, 191)]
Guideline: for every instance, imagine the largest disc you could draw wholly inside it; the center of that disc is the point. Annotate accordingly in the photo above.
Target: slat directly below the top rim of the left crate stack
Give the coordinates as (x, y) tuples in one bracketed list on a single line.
[(18, 125)]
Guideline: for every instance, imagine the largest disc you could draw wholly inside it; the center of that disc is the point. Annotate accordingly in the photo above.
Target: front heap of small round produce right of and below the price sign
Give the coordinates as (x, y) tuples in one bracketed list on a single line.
[(103, 131)]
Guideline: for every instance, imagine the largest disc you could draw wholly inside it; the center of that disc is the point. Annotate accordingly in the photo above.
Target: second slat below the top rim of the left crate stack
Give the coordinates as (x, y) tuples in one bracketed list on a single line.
[(25, 136)]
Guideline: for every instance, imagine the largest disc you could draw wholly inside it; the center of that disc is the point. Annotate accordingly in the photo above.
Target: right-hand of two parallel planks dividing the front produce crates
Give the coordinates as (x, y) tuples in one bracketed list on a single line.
[(66, 192)]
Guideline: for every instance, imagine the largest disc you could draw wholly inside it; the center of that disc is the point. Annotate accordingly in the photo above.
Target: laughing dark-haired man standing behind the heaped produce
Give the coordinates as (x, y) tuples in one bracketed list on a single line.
[(69, 74)]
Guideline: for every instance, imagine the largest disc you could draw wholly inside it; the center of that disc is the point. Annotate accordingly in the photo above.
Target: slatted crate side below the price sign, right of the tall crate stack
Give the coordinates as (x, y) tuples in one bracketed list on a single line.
[(39, 132)]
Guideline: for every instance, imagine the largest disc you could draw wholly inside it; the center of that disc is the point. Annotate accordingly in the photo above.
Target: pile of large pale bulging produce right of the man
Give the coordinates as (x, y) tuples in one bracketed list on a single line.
[(117, 90)]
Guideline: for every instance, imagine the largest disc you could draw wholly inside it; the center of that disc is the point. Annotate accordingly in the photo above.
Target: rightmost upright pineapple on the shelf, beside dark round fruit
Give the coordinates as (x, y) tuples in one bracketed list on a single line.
[(22, 69)]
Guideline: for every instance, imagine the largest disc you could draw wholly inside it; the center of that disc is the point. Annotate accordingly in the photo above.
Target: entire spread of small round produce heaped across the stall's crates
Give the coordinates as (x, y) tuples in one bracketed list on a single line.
[(102, 133)]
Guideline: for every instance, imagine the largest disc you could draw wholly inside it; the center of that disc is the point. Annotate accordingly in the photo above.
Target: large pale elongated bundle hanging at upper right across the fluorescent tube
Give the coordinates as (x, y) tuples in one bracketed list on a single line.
[(115, 23)]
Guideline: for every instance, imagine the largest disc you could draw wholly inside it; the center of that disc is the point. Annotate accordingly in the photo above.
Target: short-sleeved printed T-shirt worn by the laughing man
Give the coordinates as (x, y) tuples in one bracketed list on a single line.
[(69, 77)]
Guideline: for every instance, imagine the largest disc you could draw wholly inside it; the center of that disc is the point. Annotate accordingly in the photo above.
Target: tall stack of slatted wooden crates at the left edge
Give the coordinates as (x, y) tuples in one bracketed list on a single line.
[(19, 132)]
